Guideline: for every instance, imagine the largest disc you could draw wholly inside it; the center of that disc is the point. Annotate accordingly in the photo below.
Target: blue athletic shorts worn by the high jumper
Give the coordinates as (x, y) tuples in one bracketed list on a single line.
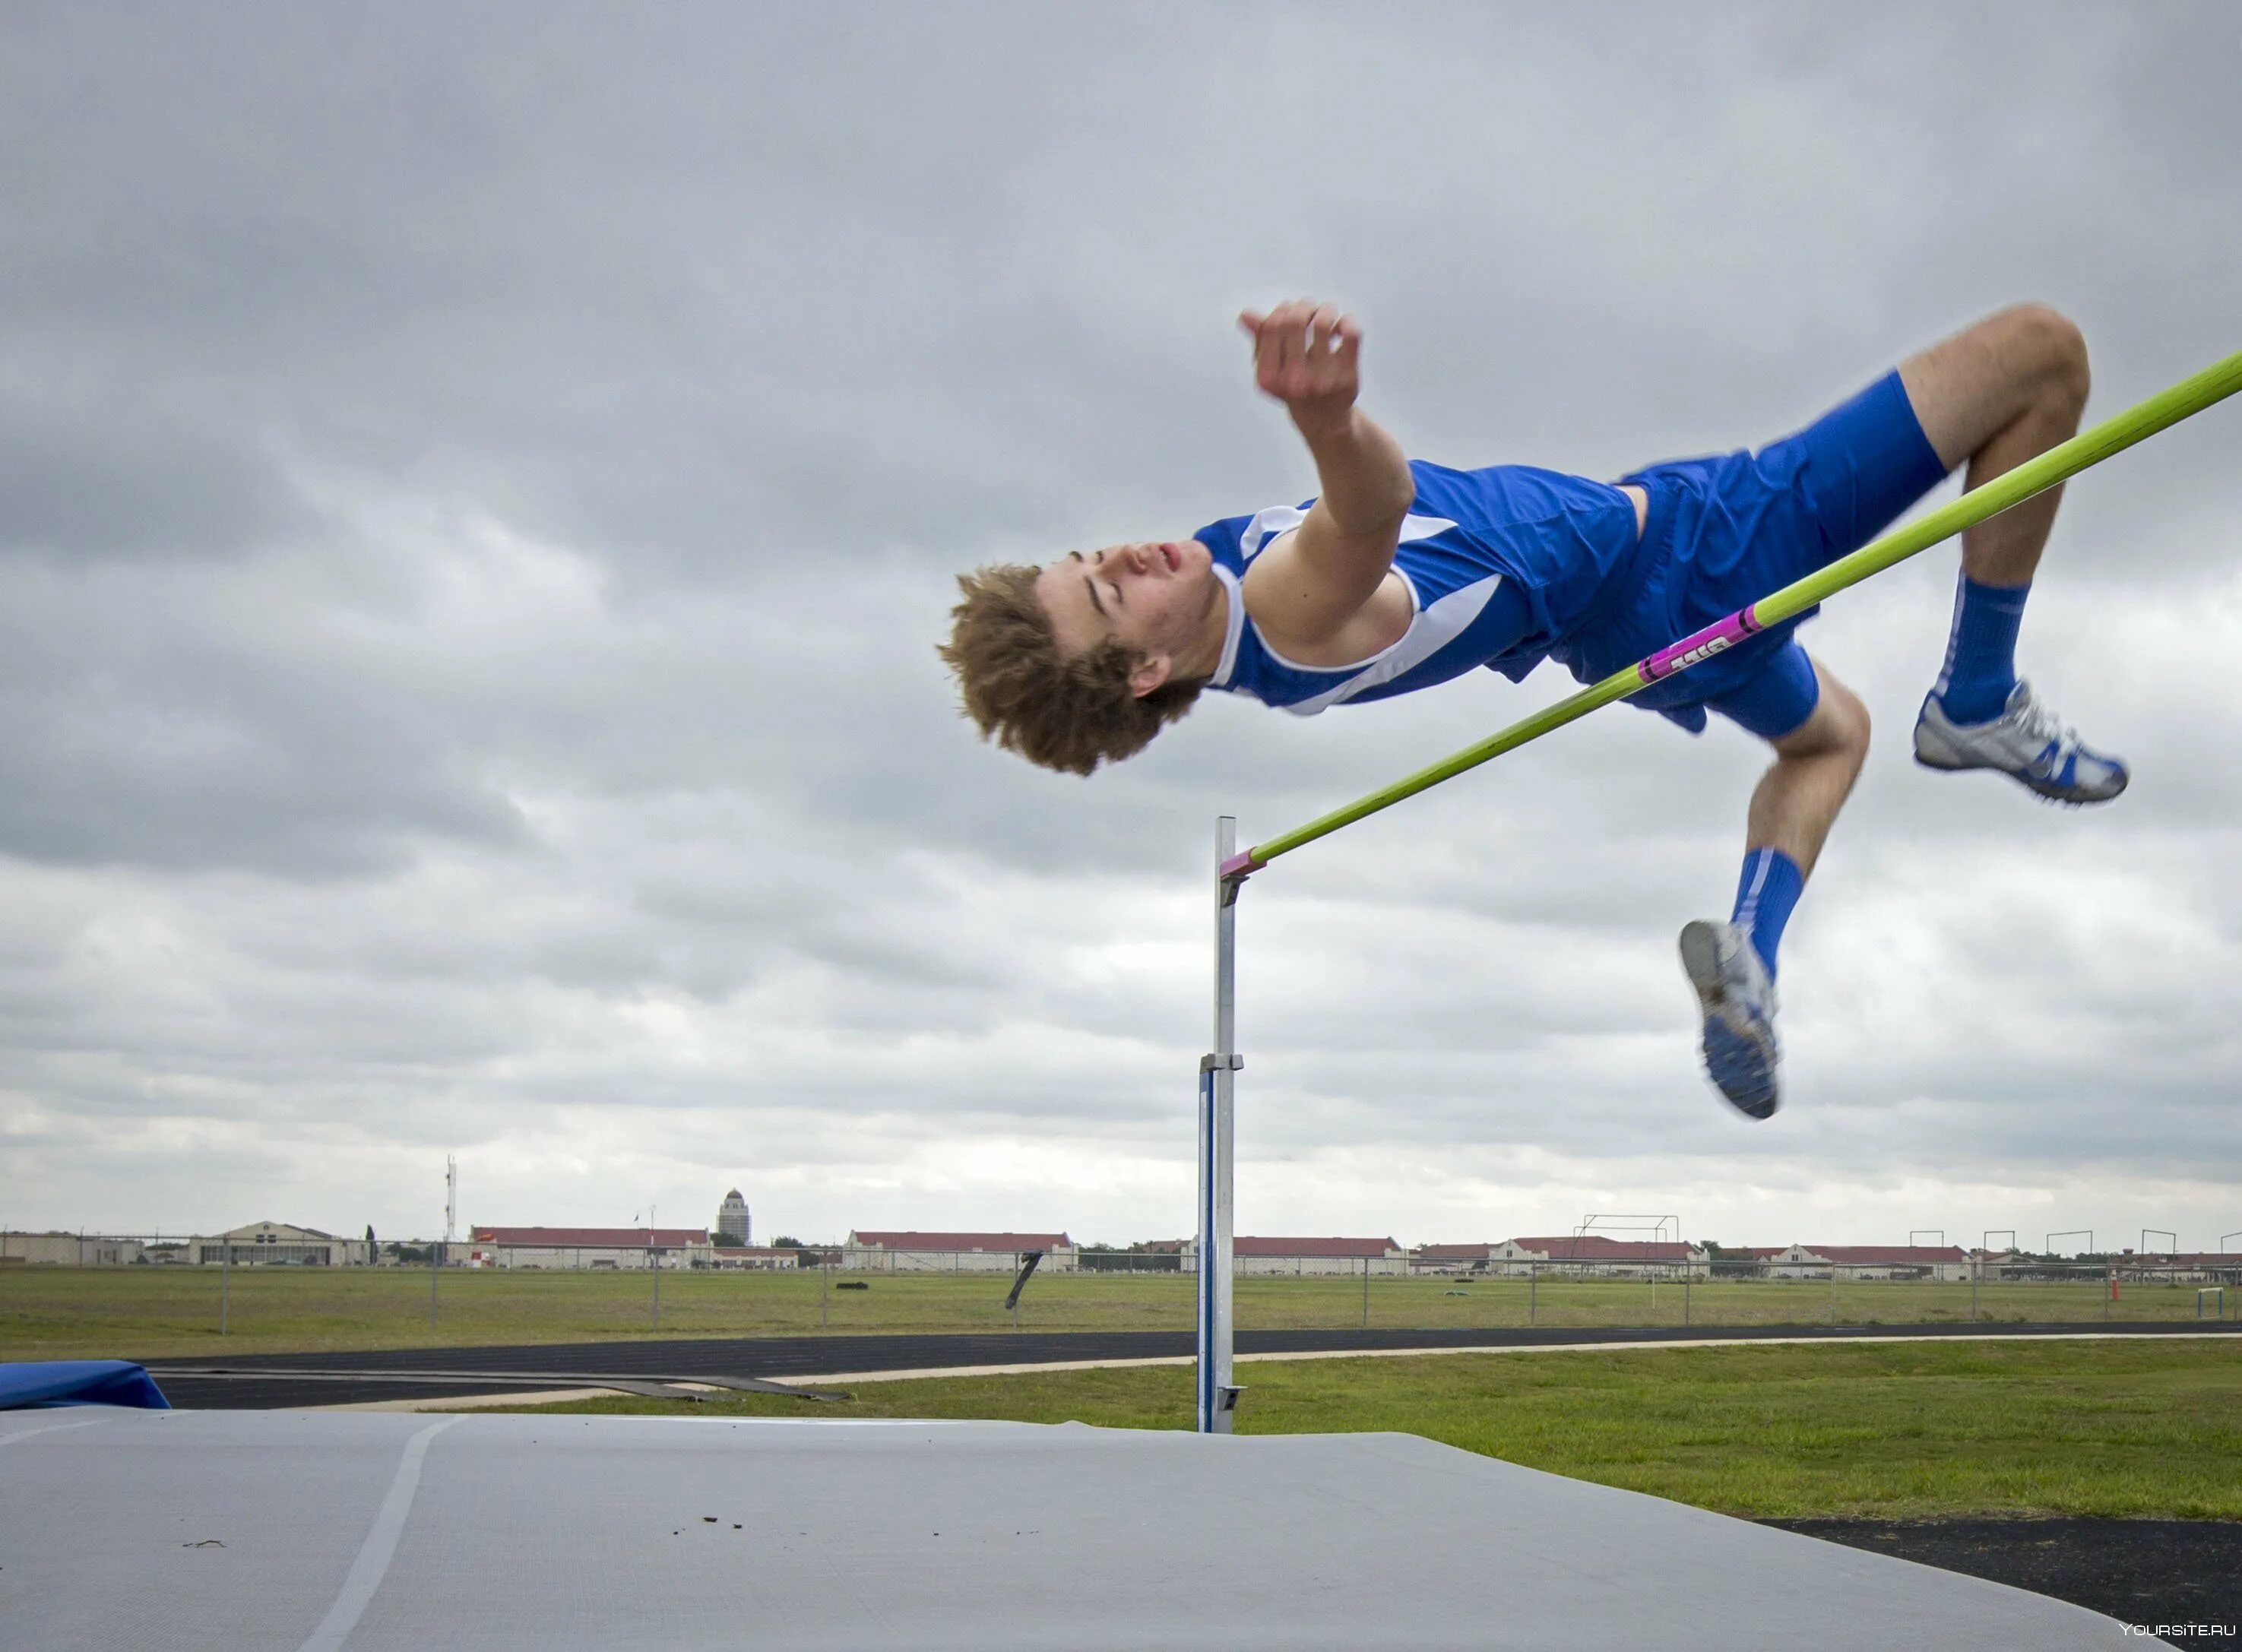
[(1734, 528)]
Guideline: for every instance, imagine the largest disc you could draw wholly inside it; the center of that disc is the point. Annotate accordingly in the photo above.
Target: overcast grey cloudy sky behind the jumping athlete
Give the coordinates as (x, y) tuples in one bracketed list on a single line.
[(481, 488)]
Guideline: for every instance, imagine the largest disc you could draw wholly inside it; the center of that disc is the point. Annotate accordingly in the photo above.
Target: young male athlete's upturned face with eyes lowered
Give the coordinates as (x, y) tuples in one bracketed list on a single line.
[(1158, 600)]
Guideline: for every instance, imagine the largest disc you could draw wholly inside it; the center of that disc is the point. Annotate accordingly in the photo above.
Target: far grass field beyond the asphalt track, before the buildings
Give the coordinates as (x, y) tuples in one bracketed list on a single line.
[(147, 1312)]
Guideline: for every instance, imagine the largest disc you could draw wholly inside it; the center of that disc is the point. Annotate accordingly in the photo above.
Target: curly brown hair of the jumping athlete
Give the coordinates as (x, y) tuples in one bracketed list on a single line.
[(1057, 712)]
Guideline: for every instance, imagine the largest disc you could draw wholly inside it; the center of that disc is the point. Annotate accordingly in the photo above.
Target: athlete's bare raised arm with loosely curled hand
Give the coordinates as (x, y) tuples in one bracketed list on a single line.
[(1322, 577)]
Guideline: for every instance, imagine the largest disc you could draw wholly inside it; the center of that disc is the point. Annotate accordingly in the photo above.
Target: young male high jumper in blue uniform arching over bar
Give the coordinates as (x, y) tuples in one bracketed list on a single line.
[(1402, 575)]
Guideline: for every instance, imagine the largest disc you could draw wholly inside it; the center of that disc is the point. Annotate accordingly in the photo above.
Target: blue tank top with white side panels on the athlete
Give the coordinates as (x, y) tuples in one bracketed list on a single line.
[(1501, 566)]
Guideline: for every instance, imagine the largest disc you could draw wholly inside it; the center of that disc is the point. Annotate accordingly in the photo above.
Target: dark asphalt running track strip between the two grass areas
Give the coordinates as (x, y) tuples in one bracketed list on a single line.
[(286, 1382)]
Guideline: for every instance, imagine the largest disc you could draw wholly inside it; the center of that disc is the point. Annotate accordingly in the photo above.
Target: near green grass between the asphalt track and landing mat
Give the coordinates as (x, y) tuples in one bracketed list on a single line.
[(2136, 1429)]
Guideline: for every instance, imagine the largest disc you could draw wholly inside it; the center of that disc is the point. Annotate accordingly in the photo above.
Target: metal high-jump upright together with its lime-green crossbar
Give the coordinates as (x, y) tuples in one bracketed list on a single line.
[(1216, 1393)]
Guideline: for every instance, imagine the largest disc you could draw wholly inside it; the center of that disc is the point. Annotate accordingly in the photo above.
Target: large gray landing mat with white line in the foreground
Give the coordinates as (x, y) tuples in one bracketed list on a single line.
[(398, 1534)]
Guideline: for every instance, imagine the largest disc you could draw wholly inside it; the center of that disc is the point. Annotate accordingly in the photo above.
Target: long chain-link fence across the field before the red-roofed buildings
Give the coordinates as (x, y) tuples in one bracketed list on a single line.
[(154, 1294)]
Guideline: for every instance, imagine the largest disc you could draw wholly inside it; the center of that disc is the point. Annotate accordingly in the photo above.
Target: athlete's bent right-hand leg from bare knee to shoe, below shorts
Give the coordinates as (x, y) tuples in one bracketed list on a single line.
[(1997, 396)]
